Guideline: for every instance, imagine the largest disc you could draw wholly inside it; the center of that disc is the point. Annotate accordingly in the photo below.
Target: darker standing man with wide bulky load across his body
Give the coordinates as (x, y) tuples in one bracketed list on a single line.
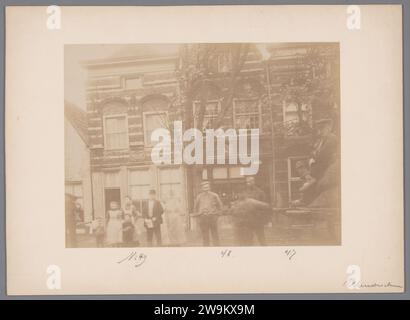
[(257, 218)]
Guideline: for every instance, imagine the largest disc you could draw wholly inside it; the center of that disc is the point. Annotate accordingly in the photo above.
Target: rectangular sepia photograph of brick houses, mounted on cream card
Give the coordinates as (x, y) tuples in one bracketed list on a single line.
[(202, 144)]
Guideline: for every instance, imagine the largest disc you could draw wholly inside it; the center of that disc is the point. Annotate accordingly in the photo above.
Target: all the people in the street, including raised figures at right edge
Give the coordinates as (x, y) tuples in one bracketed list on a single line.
[(250, 212)]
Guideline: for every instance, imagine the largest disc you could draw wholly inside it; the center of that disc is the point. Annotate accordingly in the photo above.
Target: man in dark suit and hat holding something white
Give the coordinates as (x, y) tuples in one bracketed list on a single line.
[(152, 213)]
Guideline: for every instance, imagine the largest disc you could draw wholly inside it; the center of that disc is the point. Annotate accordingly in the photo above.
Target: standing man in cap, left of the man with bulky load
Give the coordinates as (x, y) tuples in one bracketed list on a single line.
[(207, 206)]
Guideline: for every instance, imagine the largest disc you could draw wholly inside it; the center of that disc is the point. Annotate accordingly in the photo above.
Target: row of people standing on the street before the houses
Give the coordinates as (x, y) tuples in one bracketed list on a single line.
[(126, 226)]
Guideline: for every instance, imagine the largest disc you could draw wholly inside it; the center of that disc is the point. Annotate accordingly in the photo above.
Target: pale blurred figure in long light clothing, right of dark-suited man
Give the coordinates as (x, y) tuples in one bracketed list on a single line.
[(174, 220)]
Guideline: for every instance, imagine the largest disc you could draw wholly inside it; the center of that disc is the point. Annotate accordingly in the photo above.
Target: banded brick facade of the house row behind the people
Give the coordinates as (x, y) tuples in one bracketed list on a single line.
[(132, 93)]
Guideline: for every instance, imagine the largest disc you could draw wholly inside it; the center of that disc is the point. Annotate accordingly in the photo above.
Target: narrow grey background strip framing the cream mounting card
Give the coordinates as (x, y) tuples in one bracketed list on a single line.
[(334, 296)]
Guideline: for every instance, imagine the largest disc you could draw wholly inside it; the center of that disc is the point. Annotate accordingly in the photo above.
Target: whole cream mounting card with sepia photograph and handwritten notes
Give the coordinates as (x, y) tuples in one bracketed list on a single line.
[(241, 150)]
